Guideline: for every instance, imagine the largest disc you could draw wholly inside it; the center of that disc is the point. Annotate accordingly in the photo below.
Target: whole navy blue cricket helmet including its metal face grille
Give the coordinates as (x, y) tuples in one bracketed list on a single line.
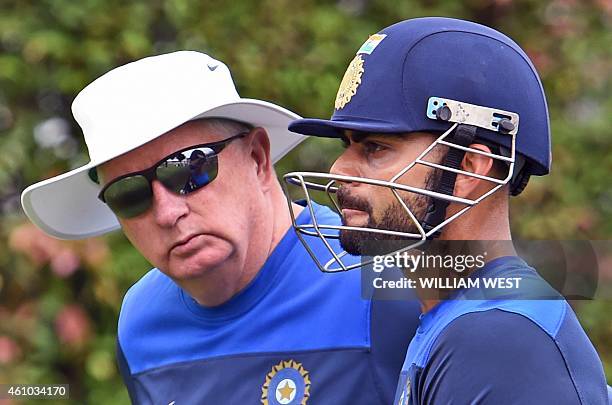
[(462, 81)]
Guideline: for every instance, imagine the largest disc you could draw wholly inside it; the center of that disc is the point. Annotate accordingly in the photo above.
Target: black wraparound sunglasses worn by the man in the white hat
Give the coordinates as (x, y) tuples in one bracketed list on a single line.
[(182, 172)]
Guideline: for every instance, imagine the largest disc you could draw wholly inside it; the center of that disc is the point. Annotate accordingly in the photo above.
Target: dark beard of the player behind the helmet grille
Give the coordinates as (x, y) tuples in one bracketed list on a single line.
[(394, 218)]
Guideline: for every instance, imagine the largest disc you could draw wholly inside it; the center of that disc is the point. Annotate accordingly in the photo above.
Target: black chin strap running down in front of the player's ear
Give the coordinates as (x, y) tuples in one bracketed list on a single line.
[(463, 135)]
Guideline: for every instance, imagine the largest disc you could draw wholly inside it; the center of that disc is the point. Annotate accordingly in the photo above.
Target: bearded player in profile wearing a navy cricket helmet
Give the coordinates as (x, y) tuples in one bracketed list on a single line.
[(443, 120)]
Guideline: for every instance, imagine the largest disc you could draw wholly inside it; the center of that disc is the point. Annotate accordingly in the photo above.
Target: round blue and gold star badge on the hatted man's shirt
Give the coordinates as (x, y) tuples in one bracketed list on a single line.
[(287, 383)]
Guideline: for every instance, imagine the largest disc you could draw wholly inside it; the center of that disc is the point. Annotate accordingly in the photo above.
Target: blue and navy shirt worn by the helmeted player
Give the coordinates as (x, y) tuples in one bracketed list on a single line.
[(506, 350)]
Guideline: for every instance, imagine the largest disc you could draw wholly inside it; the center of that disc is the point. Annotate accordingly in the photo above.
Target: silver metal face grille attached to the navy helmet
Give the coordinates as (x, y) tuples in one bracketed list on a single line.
[(329, 185)]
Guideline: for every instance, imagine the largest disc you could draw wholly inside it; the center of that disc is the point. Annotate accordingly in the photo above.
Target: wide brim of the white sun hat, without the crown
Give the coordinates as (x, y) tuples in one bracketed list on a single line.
[(67, 206)]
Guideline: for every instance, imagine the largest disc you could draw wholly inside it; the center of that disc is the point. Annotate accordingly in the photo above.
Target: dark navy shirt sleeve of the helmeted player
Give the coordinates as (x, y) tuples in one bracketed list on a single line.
[(496, 357)]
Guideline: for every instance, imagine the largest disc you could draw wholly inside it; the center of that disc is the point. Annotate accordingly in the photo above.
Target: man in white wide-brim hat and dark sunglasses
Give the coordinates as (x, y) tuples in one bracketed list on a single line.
[(234, 311)]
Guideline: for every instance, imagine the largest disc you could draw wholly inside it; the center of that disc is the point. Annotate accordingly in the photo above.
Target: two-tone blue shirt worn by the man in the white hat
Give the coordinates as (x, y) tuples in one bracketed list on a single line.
[(293, 334)]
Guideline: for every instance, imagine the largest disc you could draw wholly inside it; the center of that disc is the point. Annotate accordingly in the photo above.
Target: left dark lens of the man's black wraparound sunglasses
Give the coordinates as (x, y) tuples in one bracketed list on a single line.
[(129, 197)]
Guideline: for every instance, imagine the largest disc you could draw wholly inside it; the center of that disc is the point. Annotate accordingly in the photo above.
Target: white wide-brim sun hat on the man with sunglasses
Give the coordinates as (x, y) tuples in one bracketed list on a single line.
[(132, 105)]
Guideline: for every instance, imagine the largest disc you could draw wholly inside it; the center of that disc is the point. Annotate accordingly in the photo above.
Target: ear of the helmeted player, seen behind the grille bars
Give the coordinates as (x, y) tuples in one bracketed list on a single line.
[(465, 186)]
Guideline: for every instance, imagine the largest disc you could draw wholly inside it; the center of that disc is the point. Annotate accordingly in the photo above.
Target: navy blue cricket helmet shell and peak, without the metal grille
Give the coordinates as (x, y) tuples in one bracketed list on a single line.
[(409, 62)]
